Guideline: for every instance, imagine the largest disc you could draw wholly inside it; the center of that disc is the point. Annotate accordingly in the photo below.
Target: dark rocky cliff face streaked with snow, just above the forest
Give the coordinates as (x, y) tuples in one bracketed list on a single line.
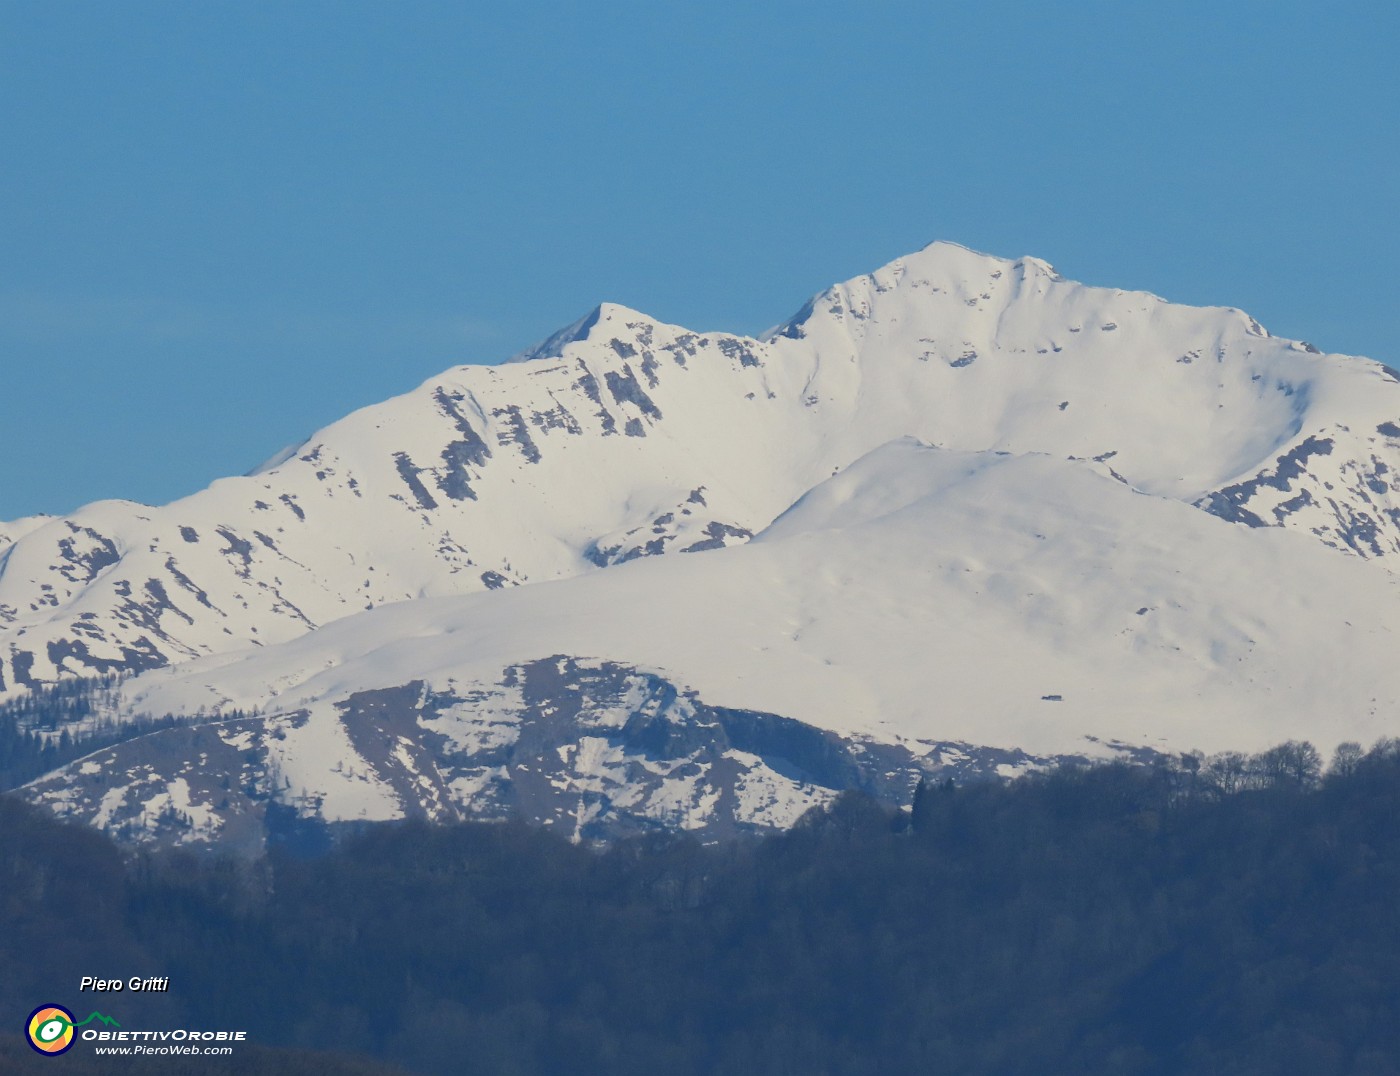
[(593, 749)]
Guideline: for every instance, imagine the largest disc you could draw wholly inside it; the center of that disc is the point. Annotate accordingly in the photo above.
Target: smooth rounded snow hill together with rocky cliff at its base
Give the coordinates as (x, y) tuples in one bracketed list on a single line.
[(927, 611)]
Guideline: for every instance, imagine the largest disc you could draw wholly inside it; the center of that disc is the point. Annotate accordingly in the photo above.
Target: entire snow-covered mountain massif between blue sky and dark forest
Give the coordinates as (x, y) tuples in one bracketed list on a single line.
[(997, 514)]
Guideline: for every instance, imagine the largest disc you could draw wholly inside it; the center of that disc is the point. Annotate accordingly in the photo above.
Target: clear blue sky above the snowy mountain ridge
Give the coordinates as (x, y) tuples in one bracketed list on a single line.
[(226, 225)]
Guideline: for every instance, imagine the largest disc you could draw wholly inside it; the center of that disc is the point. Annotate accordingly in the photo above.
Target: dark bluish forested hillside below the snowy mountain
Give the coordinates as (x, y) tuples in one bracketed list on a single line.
[(1234, 916)]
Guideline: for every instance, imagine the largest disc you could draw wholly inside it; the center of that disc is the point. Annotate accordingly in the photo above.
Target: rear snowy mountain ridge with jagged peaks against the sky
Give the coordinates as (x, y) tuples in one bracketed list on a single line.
[(624, 437)]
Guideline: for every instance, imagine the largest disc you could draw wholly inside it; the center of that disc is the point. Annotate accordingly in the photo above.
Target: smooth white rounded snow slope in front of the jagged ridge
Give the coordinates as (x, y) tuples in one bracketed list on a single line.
[(922, 594)]
